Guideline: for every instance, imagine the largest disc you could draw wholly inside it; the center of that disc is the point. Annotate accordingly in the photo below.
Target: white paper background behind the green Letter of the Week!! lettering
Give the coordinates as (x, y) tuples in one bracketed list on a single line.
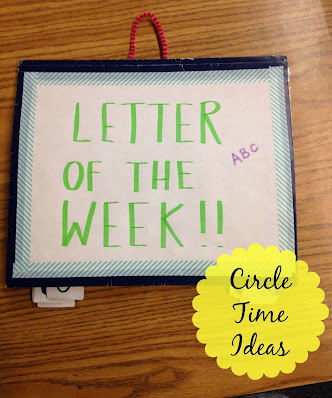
[(247, 190)]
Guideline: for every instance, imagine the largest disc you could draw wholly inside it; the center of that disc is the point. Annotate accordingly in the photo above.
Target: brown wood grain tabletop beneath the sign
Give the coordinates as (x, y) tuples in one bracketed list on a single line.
[(140, 341)]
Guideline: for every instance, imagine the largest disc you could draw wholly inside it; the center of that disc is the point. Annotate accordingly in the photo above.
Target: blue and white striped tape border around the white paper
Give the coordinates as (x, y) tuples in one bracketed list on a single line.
[(24, 269)]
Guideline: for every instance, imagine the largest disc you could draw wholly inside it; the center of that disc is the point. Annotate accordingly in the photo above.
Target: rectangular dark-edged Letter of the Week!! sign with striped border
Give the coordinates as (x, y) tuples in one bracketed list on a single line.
[(145, 171)]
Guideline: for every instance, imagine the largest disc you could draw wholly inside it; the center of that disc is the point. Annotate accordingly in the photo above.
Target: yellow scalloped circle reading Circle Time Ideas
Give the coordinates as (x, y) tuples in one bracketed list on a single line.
[(281, 341)]
